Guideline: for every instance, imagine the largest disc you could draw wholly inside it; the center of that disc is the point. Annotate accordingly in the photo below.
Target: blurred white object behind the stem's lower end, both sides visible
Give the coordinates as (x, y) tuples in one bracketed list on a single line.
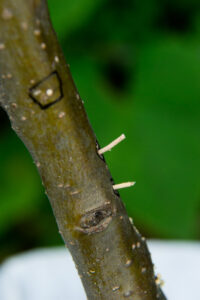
[(50, 274)]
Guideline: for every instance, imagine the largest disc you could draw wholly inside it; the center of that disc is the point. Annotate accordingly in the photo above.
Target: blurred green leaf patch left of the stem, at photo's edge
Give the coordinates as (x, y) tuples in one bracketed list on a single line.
[(20, 185)]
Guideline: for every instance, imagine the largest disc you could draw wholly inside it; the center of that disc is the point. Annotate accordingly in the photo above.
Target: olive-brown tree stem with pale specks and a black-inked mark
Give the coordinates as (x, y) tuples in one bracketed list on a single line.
[(45, 110)]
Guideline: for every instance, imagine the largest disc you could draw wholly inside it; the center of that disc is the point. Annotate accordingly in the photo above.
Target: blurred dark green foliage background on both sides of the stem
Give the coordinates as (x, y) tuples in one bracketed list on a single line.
[(136, 65)]
